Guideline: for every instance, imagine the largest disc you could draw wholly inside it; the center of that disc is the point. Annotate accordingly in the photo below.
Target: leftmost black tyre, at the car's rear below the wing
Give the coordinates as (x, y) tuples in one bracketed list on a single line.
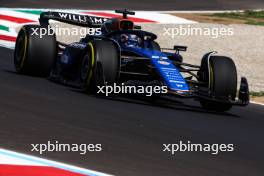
[(34, 54)]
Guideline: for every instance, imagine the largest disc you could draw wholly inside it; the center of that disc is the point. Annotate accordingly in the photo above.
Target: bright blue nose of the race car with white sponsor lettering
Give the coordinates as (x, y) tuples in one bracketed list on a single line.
[(164, 66)]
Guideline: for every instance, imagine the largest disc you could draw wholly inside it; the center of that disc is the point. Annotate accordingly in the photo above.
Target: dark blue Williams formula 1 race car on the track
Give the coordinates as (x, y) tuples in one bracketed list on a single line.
[(124, 53)]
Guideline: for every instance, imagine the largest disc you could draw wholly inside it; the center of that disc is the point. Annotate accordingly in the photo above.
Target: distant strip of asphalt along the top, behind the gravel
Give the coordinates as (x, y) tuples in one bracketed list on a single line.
[(139, 4)]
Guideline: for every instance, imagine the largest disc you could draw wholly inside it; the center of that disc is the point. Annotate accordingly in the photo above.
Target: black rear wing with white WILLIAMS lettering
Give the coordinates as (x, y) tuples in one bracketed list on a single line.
[(70, 18)]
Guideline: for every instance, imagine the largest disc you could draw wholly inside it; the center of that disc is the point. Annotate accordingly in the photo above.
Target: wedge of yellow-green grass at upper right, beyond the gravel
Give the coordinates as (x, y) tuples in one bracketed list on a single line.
[(248, 16)]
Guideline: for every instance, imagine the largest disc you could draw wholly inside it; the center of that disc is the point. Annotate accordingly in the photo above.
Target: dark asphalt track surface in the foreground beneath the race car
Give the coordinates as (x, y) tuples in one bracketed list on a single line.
[(35, 110)]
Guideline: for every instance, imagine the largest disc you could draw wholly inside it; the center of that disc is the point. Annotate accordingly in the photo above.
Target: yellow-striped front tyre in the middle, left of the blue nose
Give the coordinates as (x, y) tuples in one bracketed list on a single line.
[(100, 65)]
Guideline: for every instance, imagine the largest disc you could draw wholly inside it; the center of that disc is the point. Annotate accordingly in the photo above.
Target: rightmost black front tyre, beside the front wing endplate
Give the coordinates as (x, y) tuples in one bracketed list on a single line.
[(221, 76)]
